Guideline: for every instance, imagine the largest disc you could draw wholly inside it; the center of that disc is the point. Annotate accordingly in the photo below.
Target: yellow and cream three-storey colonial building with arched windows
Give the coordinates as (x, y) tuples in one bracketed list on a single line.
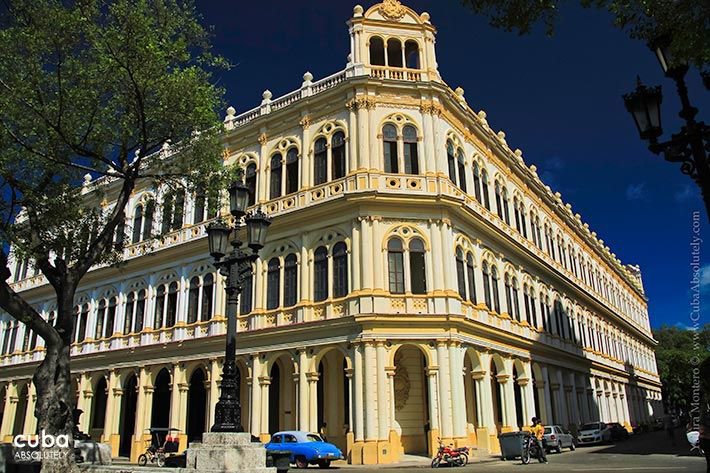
[(419, 281)]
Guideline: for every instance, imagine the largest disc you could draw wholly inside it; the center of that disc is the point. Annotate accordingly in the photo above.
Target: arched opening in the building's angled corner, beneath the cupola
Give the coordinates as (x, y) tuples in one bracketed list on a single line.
[(411, 400)]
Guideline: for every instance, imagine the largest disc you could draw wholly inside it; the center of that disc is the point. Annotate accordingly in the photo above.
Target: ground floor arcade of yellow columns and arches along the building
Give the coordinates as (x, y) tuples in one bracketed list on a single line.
[(377, 399)]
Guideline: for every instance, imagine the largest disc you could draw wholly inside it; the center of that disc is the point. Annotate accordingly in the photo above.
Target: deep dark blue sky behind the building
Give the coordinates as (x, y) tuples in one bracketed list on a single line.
[(558, 99)]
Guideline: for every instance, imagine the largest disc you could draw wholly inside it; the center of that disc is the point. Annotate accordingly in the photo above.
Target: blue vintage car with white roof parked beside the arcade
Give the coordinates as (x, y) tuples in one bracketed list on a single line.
[(305, 447)]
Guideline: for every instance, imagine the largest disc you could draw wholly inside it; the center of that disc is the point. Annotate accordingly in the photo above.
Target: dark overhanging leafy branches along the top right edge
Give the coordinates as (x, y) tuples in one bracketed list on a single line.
[(685, 22)]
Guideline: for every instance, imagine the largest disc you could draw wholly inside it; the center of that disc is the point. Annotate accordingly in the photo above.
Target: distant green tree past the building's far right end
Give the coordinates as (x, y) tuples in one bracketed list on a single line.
[(678, 353)]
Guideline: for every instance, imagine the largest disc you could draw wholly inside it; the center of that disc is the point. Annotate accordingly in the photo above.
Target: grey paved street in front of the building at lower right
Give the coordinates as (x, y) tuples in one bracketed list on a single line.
[(645, 453)]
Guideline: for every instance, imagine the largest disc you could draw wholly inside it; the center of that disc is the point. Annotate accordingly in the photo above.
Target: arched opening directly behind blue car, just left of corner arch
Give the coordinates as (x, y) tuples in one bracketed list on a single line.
[(332, 400)]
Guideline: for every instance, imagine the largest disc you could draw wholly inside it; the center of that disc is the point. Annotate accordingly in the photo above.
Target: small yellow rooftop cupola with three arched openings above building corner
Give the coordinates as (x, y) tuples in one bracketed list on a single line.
[(392, 41)]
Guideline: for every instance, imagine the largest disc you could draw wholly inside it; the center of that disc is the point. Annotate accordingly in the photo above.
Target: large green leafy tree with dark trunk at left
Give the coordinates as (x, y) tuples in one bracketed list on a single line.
[(97, 98)]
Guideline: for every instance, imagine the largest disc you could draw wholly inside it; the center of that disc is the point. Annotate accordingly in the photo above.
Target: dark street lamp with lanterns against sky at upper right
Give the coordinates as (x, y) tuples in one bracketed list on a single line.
[(691, 144)]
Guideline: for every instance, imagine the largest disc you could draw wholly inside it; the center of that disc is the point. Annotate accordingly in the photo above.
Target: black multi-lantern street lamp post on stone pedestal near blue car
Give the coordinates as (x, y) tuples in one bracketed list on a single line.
[(235, 265)]
